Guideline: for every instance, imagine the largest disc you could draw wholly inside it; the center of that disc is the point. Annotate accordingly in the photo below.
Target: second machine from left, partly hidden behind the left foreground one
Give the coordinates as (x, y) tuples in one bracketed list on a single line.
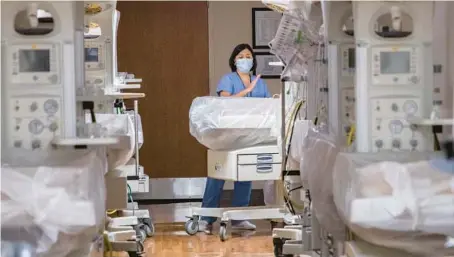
[(105, 83)]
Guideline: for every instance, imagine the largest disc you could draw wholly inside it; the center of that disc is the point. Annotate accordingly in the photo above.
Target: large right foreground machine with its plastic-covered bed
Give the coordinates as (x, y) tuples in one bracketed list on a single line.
[(391, 170)]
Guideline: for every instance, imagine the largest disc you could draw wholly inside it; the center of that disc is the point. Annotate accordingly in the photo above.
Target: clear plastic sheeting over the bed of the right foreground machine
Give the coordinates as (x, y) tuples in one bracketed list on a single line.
[(397, 200)]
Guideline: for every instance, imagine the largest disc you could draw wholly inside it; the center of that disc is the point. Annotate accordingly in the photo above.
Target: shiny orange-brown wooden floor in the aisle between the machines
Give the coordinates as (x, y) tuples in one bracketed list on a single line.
[(172, 241)]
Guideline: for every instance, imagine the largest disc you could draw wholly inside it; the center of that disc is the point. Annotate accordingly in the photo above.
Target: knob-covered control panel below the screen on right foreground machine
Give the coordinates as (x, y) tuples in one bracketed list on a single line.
[(390, 130)]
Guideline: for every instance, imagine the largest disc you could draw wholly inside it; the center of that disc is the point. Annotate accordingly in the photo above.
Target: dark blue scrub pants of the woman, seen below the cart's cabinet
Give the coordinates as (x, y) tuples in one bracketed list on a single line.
[(213, 192)]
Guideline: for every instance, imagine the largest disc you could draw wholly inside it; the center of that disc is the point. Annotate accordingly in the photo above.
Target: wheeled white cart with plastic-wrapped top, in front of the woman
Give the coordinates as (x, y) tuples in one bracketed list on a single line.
[(242, 136)]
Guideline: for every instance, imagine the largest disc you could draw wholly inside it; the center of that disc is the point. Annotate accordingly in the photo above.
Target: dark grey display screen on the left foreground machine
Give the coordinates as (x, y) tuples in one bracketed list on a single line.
[(34, 60)]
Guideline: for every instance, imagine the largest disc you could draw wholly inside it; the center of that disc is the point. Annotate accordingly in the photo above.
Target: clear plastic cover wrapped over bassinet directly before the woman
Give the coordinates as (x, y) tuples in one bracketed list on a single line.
[(230, 123)]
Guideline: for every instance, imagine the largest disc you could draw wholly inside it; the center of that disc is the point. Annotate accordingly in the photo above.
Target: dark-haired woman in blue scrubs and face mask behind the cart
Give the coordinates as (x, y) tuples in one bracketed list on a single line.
[(238, 83)]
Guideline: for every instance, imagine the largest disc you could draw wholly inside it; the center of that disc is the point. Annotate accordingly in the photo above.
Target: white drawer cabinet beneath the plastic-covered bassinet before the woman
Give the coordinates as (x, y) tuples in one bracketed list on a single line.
[(247, 164)]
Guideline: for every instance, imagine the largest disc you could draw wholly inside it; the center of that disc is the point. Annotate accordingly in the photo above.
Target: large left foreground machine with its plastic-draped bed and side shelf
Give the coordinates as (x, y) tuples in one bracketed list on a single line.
[(41, 70)]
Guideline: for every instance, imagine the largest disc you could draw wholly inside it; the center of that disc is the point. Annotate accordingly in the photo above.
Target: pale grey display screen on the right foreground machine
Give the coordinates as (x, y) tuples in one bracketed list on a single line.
[(394, 62)]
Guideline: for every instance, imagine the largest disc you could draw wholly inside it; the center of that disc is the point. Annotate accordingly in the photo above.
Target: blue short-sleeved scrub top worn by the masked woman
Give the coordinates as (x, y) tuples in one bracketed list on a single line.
[(233, 84)]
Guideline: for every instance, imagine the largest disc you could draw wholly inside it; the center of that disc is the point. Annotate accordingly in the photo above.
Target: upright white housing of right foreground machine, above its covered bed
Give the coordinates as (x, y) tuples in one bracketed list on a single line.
[(386, 98)]
